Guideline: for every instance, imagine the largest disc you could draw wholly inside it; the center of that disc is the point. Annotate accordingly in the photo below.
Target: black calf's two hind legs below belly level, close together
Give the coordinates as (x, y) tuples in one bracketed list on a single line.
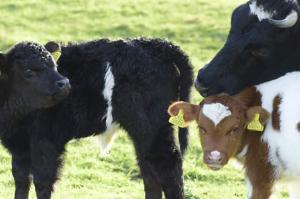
[(160, 164)]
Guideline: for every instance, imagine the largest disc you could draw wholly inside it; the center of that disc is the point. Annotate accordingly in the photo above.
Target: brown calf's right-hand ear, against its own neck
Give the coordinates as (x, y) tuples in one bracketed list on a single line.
[(252, 112)]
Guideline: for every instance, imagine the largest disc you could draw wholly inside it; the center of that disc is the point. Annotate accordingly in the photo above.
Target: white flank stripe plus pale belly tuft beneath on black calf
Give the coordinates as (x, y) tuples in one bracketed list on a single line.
[(107, 137)]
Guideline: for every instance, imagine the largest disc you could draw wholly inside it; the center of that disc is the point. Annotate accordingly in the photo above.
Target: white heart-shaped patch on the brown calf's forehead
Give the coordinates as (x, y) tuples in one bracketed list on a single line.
[(216, 112)]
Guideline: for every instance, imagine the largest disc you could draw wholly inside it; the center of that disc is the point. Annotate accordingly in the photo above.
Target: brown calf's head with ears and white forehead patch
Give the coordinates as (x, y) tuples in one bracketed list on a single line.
[(222, 121)]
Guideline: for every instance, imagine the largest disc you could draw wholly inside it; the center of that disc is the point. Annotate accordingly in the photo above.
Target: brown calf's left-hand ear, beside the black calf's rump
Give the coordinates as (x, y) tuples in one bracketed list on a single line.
[(190, 111)]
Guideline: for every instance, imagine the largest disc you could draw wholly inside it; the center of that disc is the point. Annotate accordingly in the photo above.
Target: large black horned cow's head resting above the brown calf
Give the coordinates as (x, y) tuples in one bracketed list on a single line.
[(263, 44)]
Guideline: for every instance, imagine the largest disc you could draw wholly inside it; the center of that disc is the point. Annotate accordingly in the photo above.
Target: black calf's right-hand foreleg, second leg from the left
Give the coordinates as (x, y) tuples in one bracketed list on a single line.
[(45, 163)]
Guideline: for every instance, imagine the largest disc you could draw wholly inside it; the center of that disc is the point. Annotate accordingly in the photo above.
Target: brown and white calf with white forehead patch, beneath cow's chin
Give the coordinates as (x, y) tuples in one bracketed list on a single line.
[(267, 156)]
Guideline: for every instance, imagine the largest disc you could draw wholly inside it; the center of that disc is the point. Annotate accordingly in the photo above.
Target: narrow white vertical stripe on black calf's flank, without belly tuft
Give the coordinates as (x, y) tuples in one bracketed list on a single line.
[(107, 93)]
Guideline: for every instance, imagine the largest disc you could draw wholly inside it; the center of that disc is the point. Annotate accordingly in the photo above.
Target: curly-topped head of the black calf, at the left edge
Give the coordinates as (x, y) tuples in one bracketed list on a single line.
[(29, 75)]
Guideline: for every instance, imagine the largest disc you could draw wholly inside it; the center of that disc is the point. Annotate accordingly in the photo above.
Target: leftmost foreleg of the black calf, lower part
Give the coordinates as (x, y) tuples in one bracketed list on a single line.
[(21, 172)]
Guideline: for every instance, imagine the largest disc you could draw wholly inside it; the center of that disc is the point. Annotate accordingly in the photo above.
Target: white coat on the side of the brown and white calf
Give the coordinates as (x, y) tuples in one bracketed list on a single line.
[(284, 145)]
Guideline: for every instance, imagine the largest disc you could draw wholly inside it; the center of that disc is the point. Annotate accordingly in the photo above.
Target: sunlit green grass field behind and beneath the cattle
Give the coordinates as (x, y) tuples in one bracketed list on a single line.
[(198, 26)]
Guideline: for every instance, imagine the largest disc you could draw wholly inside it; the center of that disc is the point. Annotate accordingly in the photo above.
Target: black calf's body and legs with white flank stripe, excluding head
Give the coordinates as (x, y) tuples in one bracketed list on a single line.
[(114, 83)]
